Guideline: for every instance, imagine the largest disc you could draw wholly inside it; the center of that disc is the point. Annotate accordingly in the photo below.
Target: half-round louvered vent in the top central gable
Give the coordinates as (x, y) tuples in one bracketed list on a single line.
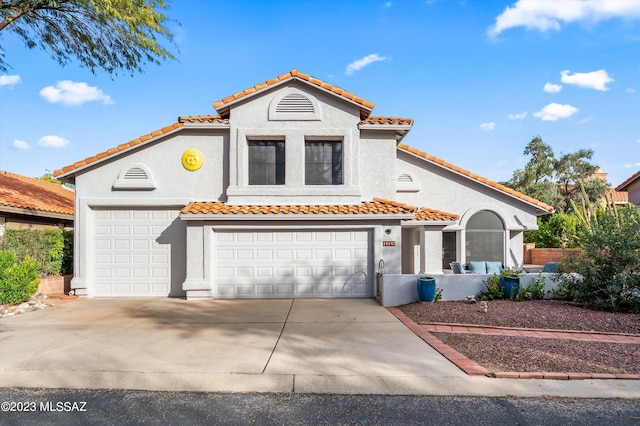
[(294, 105)]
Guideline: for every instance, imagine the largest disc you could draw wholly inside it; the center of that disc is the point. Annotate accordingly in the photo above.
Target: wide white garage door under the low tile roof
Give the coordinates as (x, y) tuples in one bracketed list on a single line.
[(275, 263)]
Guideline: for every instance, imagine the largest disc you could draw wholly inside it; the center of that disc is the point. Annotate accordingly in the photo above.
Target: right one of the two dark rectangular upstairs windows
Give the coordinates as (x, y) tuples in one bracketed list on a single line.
[(323, 163)]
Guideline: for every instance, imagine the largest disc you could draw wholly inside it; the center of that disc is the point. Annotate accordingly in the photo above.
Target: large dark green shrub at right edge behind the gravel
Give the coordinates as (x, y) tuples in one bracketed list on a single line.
[(607, 275)]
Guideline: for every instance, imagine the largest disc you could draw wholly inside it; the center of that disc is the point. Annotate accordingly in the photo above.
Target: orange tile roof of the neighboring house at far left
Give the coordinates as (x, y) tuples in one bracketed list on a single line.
[(33, 203)]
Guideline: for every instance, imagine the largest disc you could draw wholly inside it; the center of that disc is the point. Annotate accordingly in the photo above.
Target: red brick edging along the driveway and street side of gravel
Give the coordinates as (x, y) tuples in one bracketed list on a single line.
[(472, 368)]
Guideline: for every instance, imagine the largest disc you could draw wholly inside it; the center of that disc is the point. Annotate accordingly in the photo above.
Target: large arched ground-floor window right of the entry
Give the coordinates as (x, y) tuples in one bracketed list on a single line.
[(485, 237)]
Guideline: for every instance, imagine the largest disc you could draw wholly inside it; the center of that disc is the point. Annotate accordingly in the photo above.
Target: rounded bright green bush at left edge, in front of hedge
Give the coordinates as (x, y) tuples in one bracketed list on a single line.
[(18, 281)]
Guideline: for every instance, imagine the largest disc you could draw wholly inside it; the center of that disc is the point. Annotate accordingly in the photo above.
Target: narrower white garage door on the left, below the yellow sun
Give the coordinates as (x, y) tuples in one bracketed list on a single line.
[(132, 252)]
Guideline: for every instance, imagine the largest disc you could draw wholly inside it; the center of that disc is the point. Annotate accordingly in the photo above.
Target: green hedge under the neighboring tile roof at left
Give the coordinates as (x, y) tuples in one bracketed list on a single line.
[(44, 246)]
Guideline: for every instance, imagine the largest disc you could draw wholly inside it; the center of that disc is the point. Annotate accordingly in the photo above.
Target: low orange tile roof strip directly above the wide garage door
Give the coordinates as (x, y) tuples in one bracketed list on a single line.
[(377, 206)]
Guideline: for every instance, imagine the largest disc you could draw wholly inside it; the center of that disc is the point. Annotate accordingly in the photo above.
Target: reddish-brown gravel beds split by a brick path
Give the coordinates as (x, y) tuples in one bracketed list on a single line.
[(522, 354)]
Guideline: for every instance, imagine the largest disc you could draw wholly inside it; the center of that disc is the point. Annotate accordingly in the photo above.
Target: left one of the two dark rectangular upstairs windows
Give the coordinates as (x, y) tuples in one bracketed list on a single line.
[(266, 162)]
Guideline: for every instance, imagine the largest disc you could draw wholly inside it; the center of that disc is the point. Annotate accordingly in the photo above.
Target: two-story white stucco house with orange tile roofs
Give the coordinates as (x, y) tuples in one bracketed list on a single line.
[(293, 190)]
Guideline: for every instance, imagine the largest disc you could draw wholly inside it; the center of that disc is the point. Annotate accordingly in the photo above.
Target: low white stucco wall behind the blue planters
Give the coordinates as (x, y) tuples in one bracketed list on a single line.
[(399, 289)]
